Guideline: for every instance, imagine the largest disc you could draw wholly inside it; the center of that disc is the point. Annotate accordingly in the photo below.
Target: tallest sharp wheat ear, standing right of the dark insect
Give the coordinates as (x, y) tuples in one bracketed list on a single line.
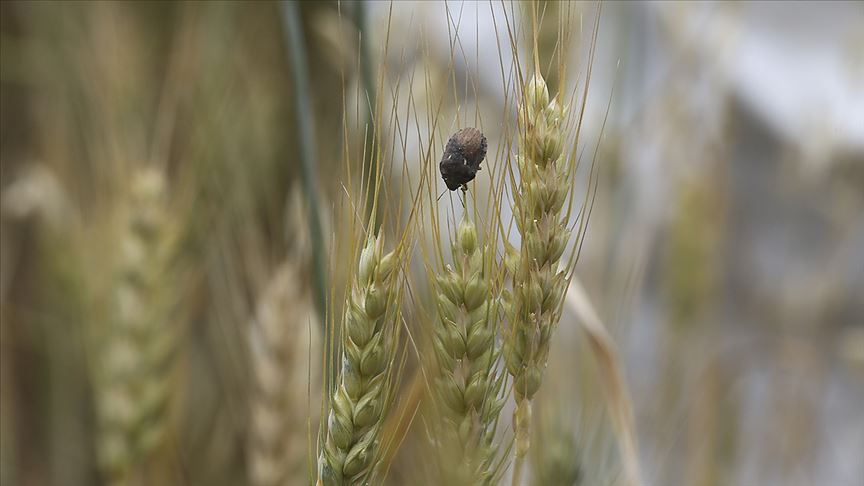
[(534, 307)]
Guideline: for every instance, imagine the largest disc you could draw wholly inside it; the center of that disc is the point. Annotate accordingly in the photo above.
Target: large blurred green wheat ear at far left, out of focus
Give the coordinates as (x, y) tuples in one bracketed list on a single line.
[(133, 381)]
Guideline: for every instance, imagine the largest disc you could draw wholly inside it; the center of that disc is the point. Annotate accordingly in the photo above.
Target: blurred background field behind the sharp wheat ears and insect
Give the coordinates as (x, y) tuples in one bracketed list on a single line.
[(168, 173)]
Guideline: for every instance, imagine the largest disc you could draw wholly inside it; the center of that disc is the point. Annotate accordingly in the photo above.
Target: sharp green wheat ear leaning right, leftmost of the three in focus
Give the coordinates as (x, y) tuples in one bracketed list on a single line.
[(359, 402)]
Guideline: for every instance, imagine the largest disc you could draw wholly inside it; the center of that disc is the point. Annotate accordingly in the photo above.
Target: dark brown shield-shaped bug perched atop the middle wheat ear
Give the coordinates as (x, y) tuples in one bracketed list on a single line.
[(463, 154)]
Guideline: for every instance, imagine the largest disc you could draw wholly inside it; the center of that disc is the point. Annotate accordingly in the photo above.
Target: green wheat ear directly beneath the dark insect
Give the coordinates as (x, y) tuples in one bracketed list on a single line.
[(466, 386)]
